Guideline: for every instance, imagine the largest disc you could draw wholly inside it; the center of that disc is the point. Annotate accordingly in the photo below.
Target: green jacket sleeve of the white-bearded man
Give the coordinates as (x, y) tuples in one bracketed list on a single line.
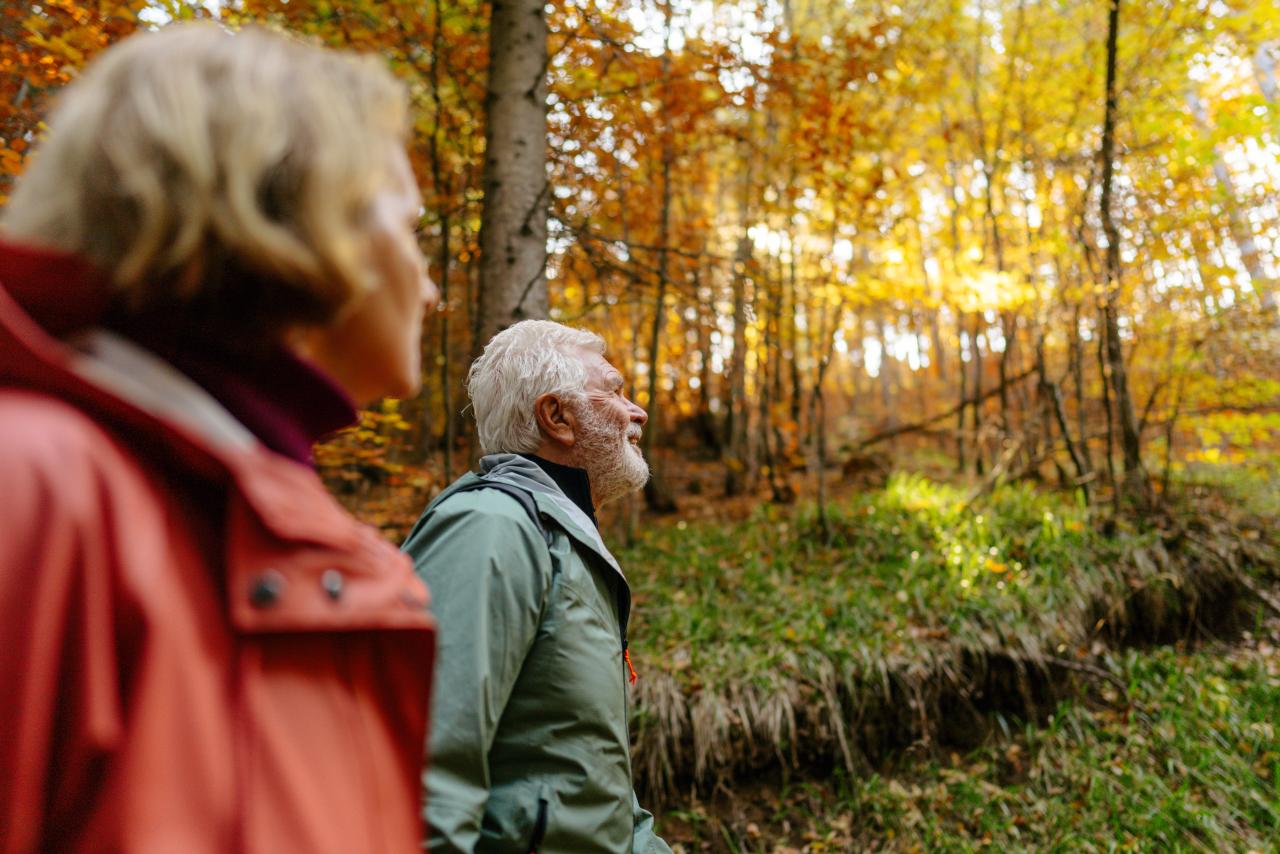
[(490, 573)]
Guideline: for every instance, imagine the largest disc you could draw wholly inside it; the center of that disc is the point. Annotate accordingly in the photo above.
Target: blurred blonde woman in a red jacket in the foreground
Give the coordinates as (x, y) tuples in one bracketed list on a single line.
[(211, 259)]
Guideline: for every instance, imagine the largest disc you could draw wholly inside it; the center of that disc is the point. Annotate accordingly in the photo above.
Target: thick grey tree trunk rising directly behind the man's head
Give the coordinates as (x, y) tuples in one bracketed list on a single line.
[(514, 232)]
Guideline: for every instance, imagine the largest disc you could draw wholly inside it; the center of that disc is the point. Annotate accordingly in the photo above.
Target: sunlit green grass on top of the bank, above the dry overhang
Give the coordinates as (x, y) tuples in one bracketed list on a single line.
[(907, 568)]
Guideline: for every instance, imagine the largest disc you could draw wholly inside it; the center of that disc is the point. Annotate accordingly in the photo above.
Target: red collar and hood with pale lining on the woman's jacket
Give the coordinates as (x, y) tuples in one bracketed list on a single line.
[(66, 296)]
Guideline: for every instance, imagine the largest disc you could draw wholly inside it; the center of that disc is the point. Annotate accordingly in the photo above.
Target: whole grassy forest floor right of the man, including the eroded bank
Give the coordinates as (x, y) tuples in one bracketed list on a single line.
[(944, 670)]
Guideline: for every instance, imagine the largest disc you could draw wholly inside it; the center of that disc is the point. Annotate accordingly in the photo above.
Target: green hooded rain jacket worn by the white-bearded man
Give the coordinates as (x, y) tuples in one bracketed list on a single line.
[(529, 746)]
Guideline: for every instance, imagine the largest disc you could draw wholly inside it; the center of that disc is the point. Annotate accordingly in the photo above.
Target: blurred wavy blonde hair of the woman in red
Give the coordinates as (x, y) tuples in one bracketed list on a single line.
[(202, 167)]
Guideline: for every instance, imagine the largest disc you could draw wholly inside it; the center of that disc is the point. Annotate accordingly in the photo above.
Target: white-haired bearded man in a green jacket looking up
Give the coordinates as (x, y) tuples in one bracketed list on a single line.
[(531, 748)]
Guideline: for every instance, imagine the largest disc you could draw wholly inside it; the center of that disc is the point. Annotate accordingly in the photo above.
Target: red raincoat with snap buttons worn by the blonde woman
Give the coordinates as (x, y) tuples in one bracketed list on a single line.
[(200, 651)]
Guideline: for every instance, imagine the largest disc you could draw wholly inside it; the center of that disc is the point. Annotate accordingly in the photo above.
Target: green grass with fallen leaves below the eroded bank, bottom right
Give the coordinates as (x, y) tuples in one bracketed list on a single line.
[(1191, 764)]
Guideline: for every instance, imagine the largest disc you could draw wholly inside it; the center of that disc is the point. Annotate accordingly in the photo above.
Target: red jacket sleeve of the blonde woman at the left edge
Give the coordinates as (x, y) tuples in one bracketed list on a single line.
[(62, 709)]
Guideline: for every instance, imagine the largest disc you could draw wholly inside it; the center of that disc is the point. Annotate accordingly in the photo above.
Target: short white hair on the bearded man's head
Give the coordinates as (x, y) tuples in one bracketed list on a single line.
[(519, 366)]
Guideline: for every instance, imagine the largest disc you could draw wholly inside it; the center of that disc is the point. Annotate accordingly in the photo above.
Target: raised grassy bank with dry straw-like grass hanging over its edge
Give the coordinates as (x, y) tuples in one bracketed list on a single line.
[(918, 619)]
